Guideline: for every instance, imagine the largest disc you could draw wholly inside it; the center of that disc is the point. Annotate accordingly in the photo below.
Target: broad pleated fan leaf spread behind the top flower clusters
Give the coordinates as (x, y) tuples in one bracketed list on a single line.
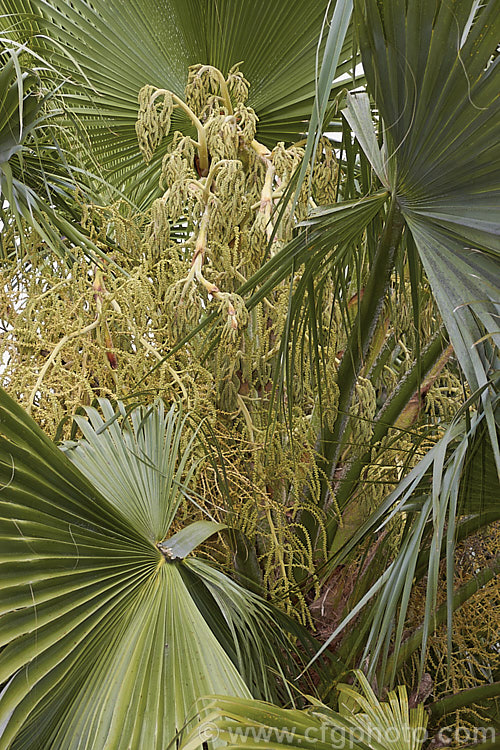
[(116, 49)]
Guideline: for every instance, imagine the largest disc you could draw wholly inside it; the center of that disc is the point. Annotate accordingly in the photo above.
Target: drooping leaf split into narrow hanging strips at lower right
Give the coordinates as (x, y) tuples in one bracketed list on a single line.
[(429, 501)]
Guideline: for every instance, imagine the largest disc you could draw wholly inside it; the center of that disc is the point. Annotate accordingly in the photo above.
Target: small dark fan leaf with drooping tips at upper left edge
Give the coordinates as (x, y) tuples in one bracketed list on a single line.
[(38, 178)]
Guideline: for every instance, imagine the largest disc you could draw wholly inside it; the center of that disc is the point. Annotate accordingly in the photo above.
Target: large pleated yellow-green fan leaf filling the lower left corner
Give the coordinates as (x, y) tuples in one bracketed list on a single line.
[(108, 640)]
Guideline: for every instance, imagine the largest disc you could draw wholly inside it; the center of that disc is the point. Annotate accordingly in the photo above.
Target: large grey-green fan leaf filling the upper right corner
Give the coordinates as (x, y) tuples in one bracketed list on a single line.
[(430, 72)]
